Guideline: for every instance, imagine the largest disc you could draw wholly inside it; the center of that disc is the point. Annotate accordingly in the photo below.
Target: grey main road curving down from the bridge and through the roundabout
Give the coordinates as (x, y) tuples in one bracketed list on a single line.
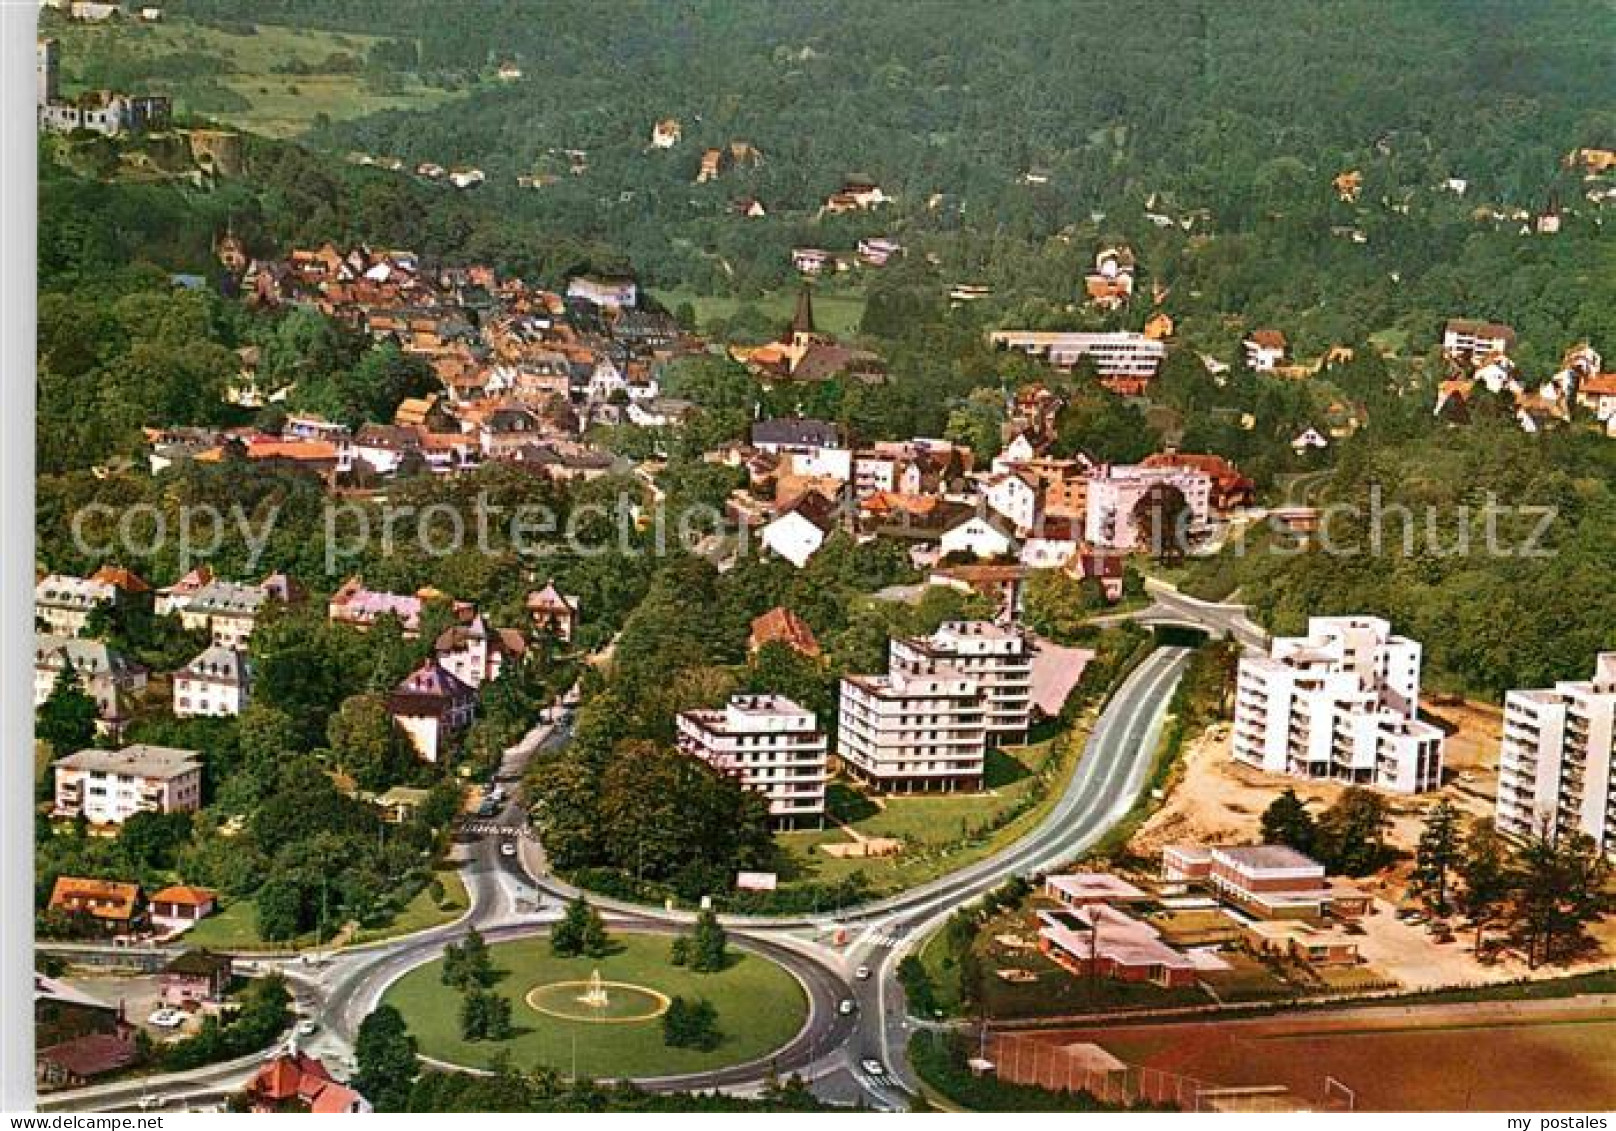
[(844, 957)]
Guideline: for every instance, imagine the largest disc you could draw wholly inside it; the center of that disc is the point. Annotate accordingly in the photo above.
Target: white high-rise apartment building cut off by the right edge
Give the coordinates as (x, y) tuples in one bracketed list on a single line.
[(1555, 765)]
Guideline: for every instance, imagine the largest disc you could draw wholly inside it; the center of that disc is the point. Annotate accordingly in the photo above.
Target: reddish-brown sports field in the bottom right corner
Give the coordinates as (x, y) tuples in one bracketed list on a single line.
[(1457, 1059)]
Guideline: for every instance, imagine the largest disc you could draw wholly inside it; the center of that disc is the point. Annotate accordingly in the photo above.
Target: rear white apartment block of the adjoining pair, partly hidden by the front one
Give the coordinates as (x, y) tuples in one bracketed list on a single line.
[(996, 658)]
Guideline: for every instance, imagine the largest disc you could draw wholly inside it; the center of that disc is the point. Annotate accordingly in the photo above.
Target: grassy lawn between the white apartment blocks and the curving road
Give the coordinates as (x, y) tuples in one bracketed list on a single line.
[(941, 833)]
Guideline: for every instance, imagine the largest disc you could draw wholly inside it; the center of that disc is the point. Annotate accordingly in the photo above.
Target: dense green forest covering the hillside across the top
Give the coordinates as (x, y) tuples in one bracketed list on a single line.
[(1232, 119)]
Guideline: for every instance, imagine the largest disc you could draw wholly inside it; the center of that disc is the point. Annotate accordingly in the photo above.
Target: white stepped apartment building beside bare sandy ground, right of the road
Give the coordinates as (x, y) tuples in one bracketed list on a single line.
[(1339, 704)]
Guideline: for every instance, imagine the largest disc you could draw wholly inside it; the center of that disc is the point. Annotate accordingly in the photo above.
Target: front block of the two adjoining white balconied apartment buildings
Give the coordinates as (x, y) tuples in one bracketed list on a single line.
[(912, 734)]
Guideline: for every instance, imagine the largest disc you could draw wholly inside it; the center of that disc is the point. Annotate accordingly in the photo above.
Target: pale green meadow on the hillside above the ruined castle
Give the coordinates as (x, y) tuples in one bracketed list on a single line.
[(274, 82)]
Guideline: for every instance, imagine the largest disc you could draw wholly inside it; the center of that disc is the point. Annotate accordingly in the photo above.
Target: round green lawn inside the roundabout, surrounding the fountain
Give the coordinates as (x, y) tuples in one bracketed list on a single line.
[(760, 1007)]
